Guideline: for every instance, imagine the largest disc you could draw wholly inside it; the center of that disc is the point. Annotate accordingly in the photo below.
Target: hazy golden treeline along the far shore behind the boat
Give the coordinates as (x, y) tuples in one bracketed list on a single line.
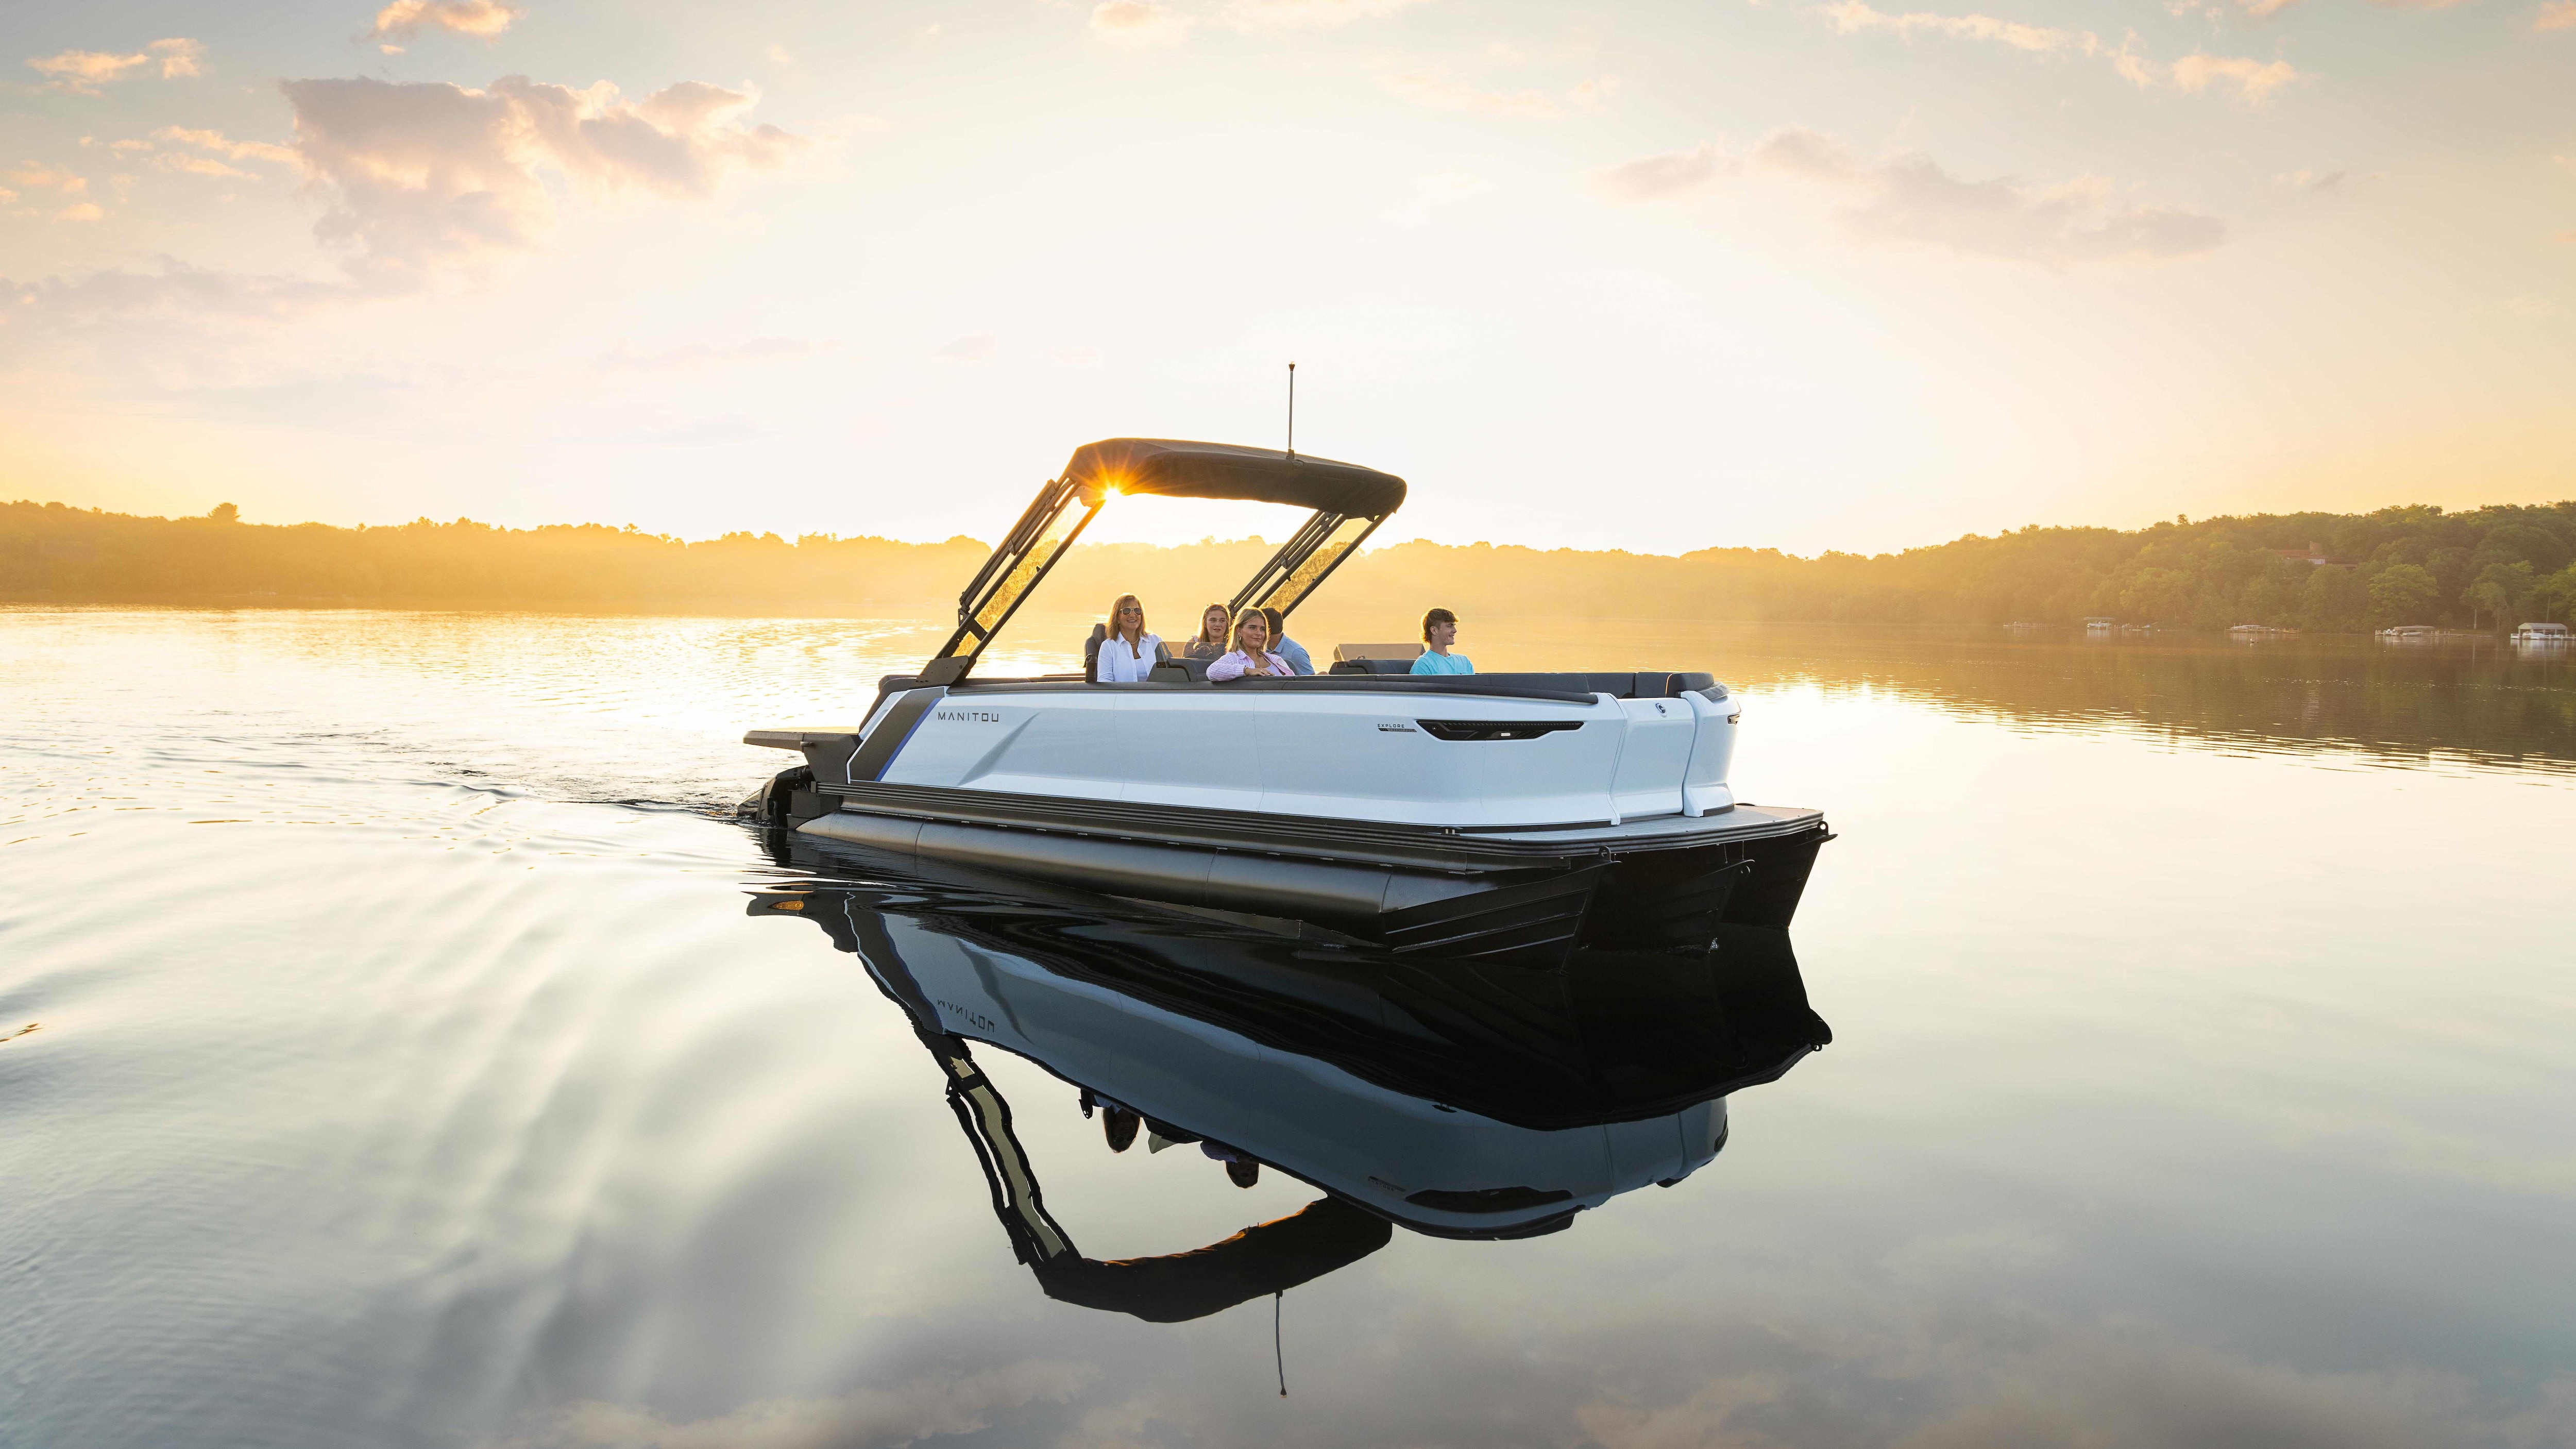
[(2400, 566)]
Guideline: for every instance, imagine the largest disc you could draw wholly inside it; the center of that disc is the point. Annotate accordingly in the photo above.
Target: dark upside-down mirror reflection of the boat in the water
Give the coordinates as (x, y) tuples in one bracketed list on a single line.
[(1446, 1097)]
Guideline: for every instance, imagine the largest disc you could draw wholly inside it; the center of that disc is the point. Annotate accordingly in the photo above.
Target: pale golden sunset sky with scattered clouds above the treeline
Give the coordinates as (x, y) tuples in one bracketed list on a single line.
[(1653, 275)]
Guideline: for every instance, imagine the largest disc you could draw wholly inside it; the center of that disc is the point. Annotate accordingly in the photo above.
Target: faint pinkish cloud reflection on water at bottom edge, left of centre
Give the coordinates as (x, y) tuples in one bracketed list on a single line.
[(903, 1414)]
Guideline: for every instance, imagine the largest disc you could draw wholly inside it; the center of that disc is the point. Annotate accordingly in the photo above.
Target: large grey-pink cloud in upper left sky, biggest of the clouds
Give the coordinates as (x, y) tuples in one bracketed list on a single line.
[(431, 174)]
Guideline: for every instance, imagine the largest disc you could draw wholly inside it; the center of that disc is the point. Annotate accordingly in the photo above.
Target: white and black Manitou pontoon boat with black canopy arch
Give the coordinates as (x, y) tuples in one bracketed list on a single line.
[(1457, 816)]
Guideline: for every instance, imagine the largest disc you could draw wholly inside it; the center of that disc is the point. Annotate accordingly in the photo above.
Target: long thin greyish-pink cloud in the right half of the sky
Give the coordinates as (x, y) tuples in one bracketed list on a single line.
[(1913, 202)]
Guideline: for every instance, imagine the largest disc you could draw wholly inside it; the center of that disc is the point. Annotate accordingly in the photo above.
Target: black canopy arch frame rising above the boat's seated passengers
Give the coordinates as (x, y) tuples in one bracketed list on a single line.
[(1349, 507)]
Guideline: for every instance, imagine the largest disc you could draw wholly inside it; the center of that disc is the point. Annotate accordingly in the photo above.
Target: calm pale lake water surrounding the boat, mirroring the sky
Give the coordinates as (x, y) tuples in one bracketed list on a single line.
[(406, 1048)]
